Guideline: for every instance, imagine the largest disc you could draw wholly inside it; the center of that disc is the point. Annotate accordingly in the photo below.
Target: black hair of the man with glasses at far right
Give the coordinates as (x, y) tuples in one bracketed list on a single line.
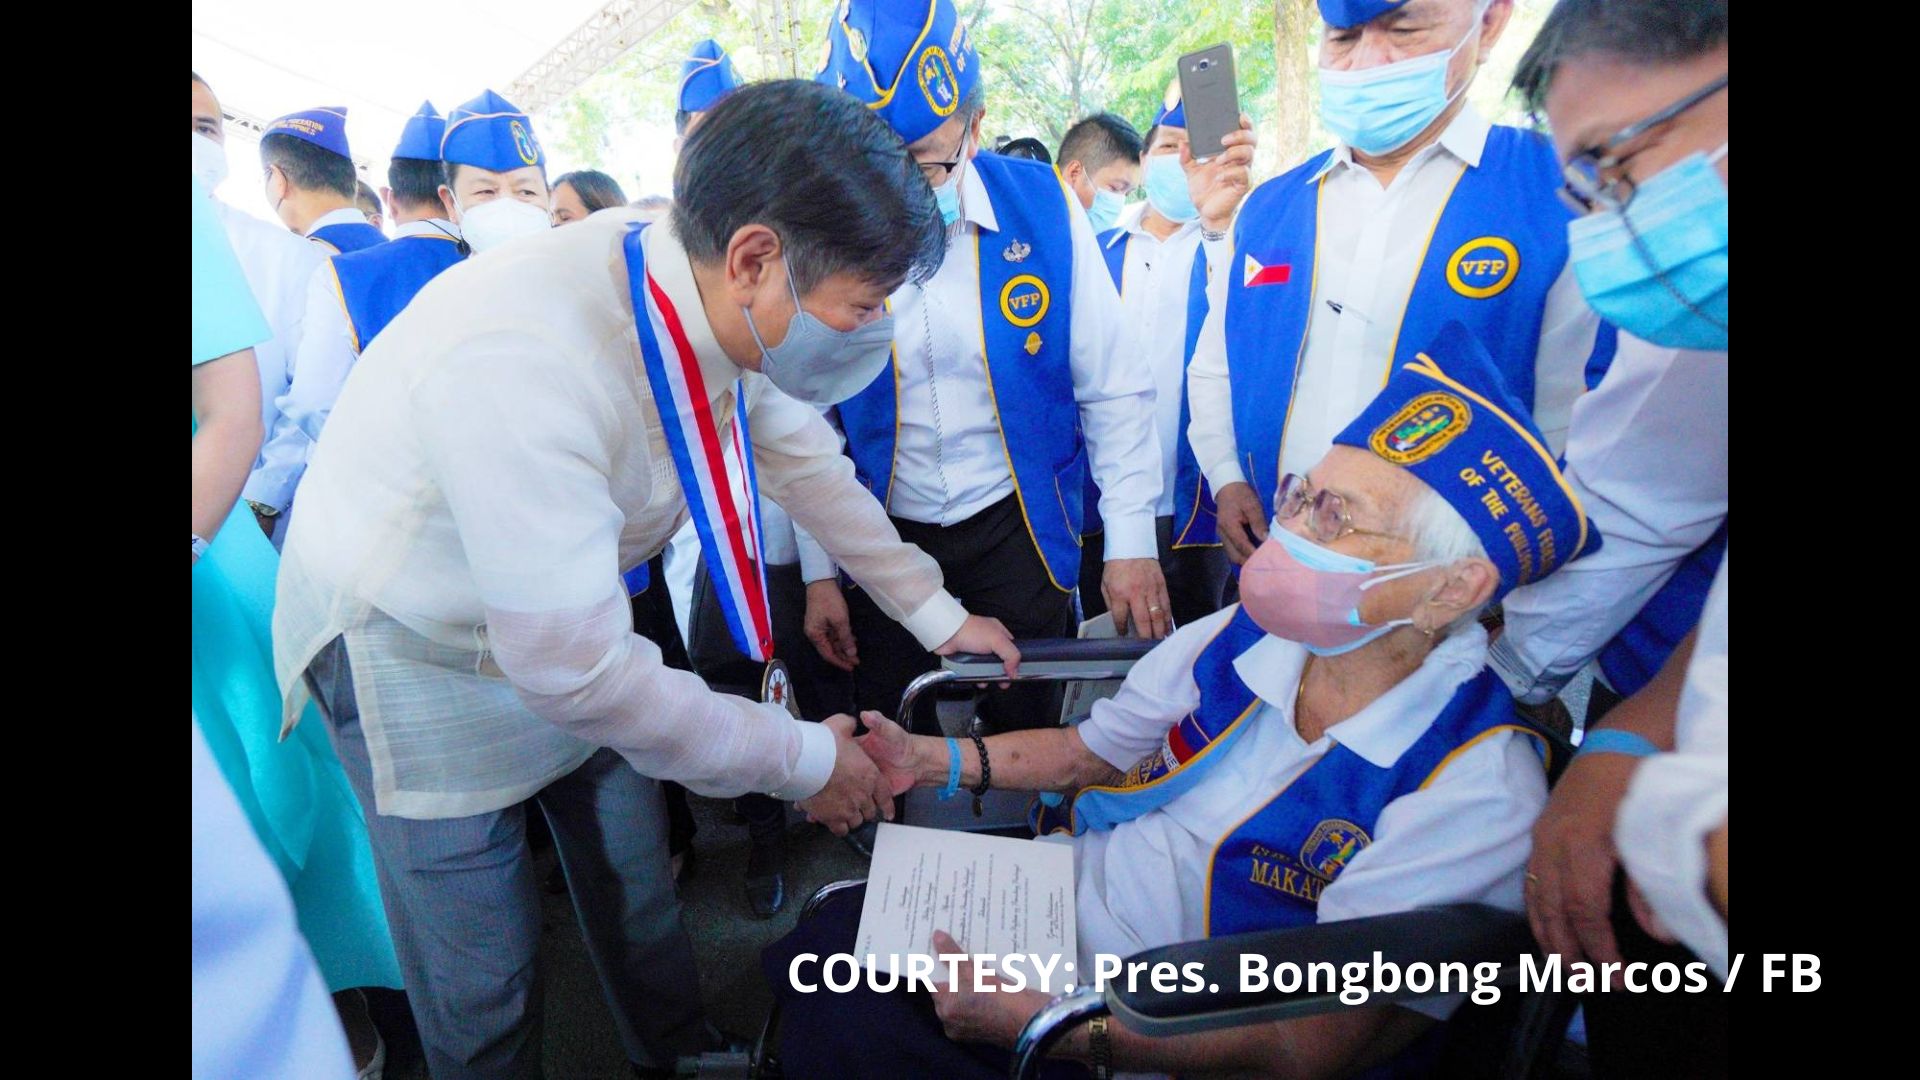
[(1639, 32)]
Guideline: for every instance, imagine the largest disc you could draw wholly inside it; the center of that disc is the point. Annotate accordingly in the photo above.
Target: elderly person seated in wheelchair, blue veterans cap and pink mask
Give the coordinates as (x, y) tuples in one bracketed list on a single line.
[(1330, 749)]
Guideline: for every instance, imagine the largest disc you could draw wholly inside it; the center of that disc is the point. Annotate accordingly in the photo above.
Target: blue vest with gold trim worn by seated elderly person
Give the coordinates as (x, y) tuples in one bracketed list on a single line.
[(1272, 870)]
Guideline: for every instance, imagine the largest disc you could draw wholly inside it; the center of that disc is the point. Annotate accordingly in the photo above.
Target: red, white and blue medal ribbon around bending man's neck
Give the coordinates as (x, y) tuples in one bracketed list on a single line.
[(731, 543)]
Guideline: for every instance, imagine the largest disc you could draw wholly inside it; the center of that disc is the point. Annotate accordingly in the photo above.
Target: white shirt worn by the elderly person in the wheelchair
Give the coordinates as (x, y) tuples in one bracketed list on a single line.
[(1464, 837)]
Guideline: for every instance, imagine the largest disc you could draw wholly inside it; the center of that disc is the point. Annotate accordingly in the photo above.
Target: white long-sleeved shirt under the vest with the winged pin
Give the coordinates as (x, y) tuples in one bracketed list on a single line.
[(951, 462)]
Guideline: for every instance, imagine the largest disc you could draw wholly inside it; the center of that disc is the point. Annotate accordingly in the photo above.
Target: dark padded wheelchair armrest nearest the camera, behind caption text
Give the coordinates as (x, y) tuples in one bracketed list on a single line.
[(1458, 933)]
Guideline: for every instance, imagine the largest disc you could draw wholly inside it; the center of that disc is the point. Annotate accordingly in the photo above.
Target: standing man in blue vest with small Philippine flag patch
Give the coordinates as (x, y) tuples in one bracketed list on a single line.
[(1422, 214)]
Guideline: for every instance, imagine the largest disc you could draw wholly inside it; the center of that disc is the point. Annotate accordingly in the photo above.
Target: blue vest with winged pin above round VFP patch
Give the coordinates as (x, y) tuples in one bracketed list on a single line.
[(1026, 287)]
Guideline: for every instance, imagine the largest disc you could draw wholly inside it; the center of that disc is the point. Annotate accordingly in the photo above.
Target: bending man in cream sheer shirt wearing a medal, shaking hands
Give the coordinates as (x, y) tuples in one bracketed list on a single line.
[(539, 422)]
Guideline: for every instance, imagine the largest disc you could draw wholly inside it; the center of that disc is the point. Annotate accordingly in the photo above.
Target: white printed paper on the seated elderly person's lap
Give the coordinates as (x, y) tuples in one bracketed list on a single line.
[(996, 895)]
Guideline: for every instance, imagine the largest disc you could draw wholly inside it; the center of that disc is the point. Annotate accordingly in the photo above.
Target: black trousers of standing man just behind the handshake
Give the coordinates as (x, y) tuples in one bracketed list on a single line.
[(994, 570)]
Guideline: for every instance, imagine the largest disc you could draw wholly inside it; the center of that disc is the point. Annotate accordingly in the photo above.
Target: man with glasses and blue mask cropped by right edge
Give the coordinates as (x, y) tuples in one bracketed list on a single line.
[(1631, 854)]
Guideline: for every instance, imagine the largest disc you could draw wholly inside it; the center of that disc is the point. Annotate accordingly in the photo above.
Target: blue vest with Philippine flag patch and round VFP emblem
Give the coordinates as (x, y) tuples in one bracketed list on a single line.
[(1495, 251)]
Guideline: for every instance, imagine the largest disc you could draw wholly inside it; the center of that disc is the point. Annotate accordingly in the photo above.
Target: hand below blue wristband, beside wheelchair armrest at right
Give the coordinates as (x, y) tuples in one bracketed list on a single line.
[(1570, 877)]
